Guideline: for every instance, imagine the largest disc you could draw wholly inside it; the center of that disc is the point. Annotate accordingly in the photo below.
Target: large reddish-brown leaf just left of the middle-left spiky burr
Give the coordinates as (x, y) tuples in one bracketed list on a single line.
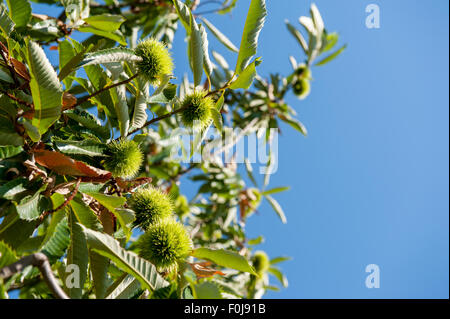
[(64, 165)]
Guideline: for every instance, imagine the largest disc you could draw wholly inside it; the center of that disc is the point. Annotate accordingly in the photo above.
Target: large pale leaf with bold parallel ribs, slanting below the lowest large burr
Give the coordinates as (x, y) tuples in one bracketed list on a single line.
[(128, 261)]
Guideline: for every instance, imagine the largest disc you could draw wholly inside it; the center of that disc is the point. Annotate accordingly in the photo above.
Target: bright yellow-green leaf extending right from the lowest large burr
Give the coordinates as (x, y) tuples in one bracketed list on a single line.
[(224, 258)]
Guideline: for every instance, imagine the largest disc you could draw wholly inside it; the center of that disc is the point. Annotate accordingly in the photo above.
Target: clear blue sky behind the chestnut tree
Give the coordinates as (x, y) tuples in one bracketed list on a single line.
[(370, 183)]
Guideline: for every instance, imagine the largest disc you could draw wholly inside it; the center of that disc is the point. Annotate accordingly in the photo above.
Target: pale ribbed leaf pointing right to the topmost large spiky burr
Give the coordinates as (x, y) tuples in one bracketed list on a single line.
[(110, 56)]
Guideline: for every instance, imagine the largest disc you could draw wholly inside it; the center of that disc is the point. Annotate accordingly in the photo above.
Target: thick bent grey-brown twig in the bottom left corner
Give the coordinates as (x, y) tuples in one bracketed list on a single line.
[(38, 260)]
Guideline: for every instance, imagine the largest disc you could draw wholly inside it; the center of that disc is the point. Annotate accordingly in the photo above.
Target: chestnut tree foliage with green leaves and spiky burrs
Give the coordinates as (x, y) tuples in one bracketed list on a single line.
[(86, 172)]
